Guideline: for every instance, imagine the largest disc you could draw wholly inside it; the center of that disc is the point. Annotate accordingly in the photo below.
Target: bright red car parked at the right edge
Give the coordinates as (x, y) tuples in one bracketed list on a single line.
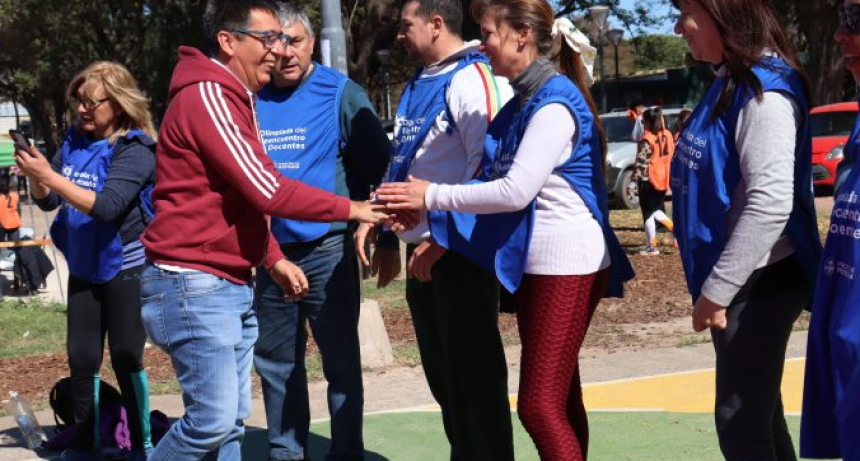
[(831, 125)]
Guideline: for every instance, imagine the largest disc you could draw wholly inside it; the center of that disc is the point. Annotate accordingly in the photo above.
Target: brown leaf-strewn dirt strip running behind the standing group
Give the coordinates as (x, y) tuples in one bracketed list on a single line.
[(652, 314)]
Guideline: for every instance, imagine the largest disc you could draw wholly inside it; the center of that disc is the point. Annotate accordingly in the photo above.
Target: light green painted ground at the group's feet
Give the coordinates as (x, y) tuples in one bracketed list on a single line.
[(614, 436)]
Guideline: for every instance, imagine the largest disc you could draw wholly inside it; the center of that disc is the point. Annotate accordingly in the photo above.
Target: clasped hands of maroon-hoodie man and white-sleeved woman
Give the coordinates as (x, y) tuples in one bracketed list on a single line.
[(397, 205)]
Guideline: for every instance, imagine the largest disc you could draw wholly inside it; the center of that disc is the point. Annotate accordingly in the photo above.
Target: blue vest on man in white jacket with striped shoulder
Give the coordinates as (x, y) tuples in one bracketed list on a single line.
[(422, 101)]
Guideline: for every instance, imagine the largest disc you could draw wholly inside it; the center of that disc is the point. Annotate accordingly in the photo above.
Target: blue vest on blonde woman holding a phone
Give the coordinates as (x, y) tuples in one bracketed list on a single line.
[(92, 248)]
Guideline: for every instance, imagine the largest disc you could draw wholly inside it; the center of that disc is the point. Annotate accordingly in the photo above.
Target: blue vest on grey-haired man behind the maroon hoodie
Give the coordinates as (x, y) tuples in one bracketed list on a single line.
[(301, 134)]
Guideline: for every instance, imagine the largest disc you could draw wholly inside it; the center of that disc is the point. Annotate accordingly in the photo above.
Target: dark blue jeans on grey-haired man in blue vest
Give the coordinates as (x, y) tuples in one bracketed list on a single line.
[(331, 307)]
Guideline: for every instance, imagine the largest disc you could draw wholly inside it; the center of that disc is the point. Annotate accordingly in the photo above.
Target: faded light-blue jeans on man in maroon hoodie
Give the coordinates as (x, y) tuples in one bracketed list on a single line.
[(208, 327)]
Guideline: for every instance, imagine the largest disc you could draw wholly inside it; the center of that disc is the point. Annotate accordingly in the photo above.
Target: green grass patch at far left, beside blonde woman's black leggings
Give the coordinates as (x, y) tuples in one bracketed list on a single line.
[(30, 328)]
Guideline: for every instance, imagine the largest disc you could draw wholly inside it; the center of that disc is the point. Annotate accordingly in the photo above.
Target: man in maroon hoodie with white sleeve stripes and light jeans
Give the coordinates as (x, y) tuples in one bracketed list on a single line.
[(215, 188)]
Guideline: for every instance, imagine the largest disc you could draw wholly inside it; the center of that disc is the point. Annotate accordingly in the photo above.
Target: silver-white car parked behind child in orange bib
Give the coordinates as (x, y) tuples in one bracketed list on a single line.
[(621, 155)]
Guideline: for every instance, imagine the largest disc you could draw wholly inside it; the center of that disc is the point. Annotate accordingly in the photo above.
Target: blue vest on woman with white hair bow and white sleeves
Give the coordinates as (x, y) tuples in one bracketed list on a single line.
[(500, 242)]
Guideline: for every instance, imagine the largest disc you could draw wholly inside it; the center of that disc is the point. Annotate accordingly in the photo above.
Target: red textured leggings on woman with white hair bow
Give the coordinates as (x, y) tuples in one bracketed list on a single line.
[(553, 314)]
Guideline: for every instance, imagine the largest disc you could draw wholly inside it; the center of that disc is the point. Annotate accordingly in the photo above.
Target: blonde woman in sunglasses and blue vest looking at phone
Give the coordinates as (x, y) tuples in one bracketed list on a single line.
[(100, 180)]
